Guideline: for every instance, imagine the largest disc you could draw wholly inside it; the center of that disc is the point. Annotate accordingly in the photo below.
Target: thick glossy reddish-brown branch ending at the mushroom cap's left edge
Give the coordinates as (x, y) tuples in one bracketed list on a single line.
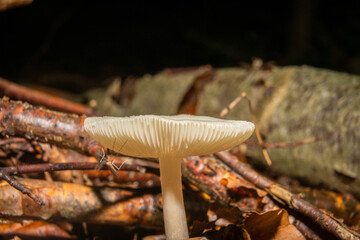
[(65, 130)]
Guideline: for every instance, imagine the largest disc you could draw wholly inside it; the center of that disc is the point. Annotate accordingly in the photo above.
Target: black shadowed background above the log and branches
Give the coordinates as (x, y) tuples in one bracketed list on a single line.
[(74, 45)]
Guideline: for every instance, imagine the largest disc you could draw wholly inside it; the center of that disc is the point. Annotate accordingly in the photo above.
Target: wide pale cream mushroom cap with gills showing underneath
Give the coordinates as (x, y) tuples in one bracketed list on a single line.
[(174, 136)]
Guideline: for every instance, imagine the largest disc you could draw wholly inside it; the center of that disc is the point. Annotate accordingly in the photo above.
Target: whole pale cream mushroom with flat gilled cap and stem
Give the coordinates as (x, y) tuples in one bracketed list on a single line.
[(169, 139)]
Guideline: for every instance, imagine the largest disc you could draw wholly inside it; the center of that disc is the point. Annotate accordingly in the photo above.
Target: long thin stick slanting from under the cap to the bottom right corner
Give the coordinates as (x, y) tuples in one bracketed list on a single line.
[(285, 197)]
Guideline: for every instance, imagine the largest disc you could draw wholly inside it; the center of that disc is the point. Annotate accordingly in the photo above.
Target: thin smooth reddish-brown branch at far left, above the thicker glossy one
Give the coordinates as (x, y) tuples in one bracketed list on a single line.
[(14, 90)]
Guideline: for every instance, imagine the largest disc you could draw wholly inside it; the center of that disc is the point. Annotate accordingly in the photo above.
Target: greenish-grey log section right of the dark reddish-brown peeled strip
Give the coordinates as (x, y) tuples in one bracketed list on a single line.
[(293, 104)]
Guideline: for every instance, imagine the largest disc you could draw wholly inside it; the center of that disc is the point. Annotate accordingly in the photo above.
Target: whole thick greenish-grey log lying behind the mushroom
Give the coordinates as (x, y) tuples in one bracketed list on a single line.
[(291, 104)]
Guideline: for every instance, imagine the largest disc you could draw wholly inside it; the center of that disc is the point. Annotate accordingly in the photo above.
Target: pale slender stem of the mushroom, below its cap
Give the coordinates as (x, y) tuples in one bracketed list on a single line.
[(173, 202)]
